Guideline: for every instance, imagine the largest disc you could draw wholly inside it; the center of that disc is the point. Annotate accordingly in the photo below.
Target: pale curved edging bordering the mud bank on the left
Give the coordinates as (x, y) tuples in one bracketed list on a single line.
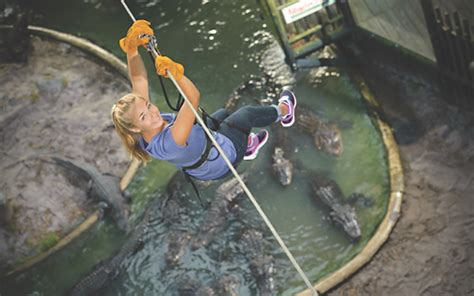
[(121, 67)]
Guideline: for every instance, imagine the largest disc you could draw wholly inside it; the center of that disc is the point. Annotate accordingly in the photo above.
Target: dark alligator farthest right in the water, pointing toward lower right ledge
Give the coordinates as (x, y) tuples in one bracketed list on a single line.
[(342, 213)]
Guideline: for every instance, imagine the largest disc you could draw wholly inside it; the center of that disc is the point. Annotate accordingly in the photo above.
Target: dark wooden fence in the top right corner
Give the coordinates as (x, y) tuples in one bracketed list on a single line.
[(453, 45)]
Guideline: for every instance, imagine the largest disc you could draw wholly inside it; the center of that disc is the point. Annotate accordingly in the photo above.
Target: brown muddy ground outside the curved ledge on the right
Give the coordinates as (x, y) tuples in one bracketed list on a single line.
[(430, 250)]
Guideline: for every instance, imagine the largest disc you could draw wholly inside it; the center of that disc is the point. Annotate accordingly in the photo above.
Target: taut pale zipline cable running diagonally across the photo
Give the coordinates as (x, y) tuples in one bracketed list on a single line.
[(155, 53)]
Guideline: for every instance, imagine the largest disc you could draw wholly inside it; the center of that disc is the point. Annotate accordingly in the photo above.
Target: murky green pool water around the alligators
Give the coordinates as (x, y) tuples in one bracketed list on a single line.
[(219, 43)]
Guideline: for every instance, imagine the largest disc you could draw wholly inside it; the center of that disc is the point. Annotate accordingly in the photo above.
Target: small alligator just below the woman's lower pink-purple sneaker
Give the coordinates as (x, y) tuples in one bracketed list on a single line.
[(282, 167)]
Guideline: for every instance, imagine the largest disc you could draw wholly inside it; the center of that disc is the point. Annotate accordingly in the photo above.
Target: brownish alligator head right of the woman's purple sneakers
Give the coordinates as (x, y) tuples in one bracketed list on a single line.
[(328, 138)]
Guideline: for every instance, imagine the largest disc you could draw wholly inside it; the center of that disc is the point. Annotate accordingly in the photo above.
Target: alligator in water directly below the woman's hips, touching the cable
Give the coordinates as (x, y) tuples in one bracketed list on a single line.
[(214, 221)]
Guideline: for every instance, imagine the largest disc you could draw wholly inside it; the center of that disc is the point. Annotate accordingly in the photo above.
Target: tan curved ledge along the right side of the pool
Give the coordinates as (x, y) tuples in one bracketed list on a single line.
[(397, 188)]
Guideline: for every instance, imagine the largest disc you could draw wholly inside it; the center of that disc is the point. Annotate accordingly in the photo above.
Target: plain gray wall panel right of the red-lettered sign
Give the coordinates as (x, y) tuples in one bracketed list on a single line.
[(399, 21)]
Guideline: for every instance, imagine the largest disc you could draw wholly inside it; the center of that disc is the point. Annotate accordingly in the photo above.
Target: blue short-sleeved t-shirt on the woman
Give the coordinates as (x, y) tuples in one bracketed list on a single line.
[(163, 147)]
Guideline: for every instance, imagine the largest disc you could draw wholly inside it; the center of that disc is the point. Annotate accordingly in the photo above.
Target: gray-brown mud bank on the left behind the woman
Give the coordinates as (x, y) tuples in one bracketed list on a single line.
[(57, 103)]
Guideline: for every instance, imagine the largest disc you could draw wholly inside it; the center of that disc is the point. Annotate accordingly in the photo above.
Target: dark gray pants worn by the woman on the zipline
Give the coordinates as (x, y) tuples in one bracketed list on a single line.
[(245, 119)]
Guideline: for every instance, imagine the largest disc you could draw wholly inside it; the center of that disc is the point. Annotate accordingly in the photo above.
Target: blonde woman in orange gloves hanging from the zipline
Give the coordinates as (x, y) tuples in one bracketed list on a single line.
[(146, 132)]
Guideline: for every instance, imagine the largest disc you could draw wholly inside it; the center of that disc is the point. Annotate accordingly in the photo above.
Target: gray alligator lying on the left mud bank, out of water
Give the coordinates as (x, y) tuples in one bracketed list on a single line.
[(102, 187)]
